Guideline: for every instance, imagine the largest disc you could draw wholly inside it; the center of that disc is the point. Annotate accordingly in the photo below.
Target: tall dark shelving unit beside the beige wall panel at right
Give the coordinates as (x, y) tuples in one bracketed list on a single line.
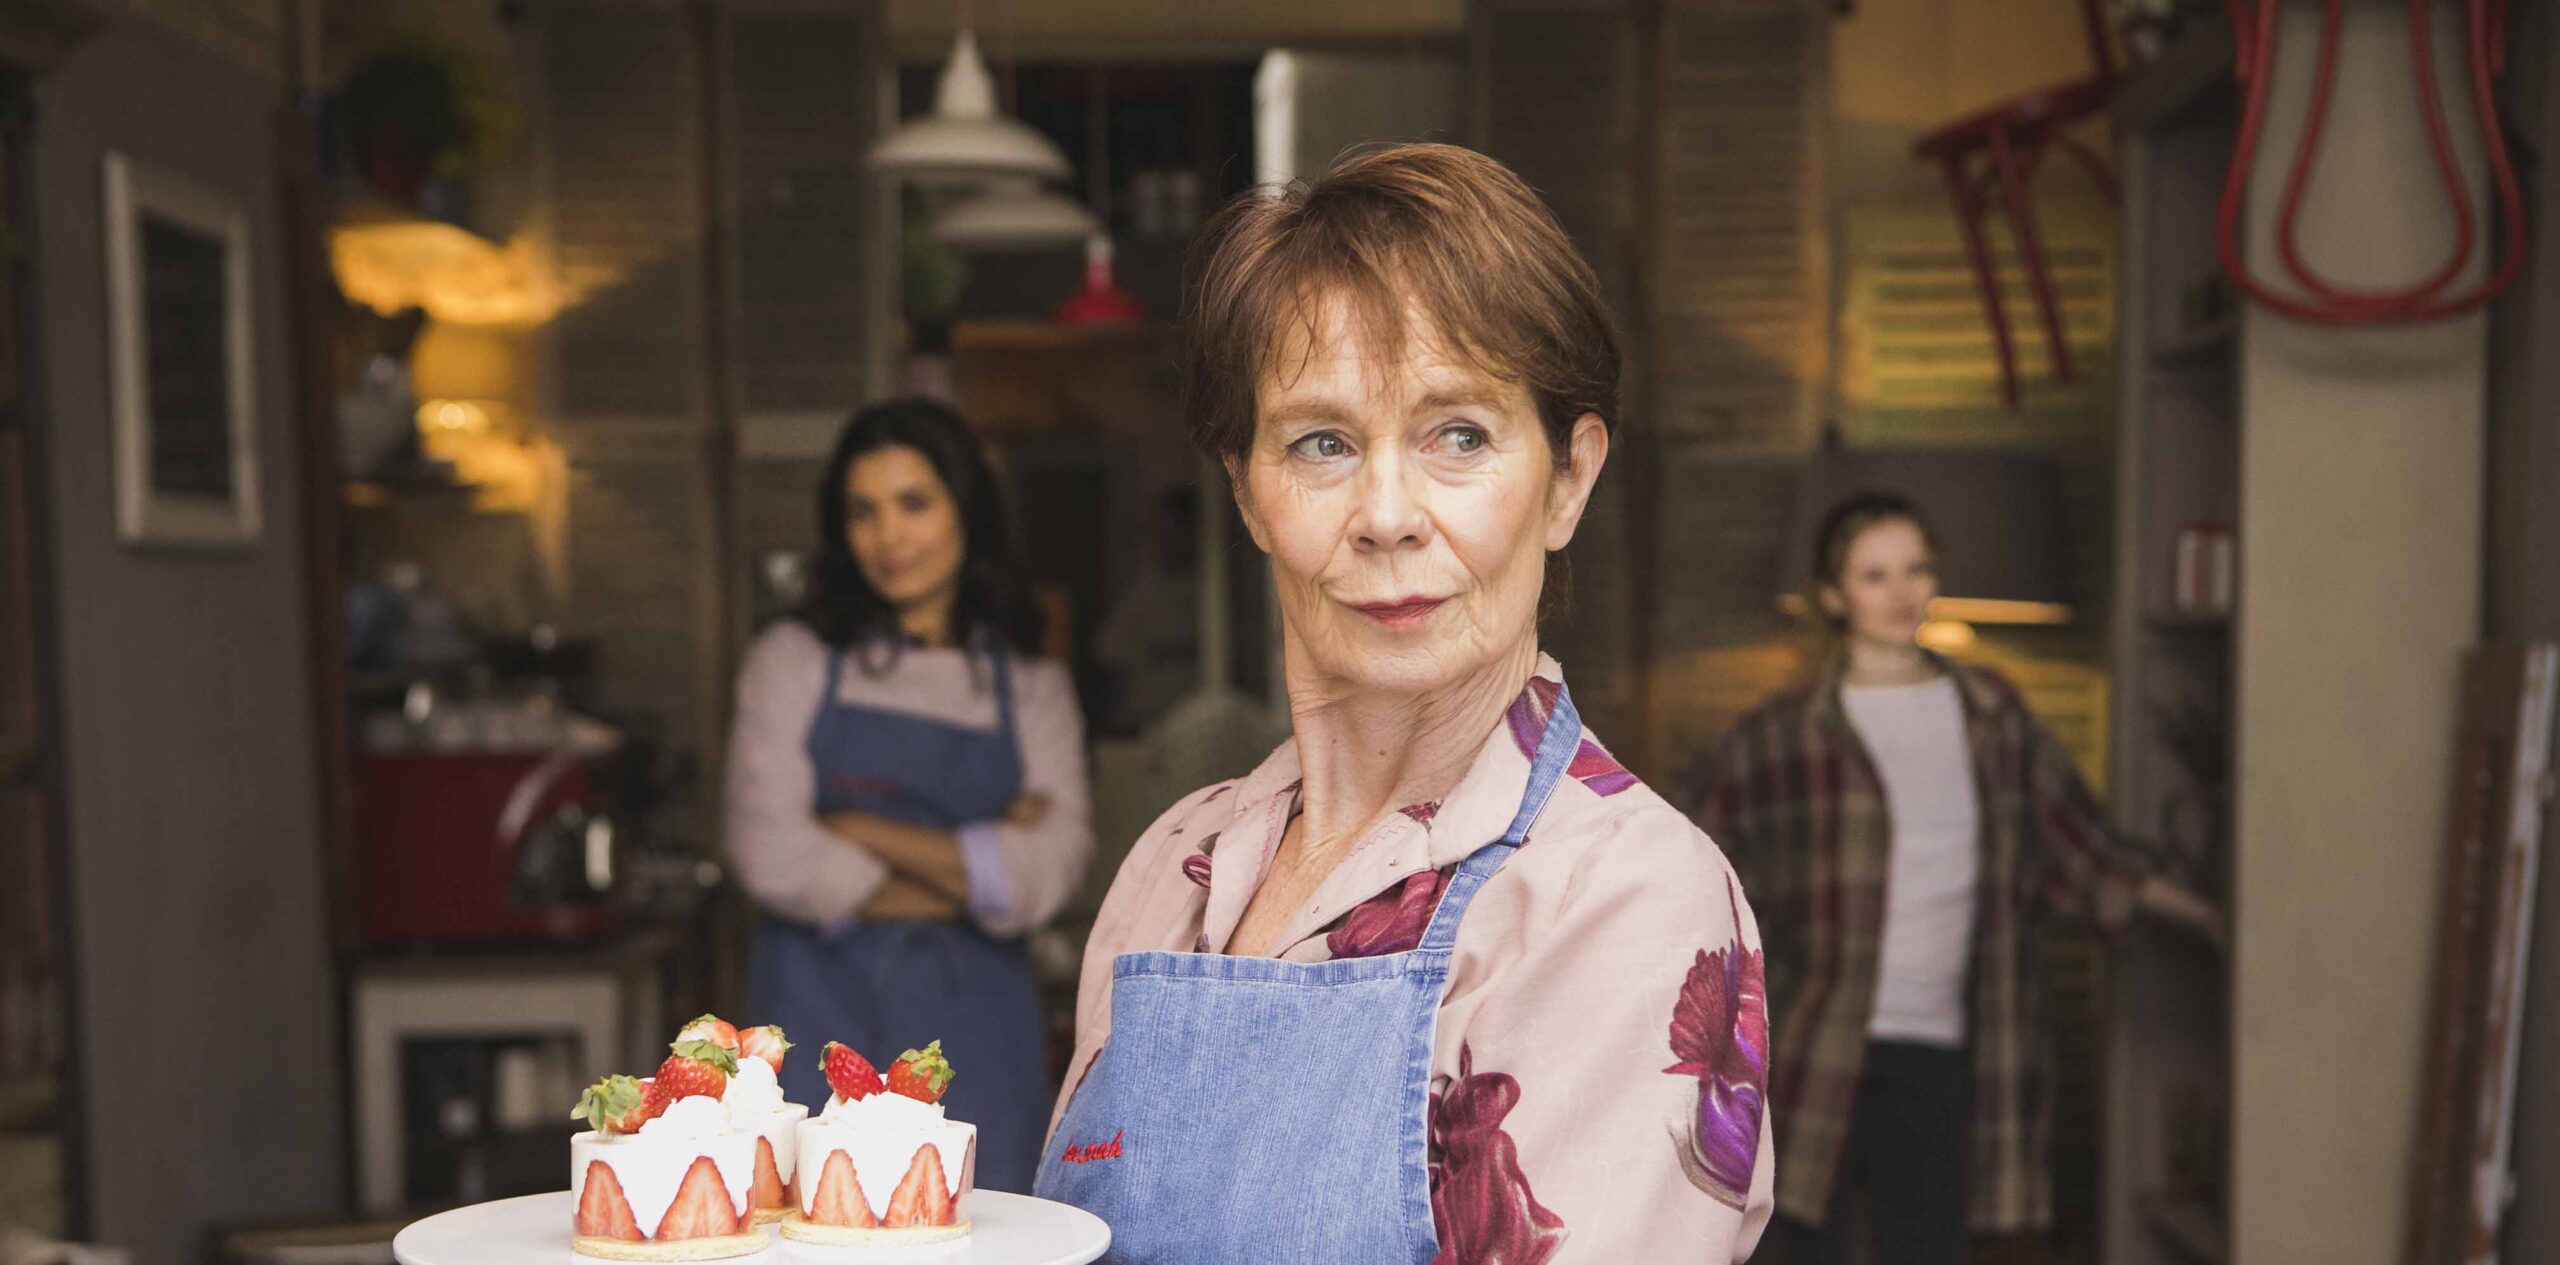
[(2177, 670)]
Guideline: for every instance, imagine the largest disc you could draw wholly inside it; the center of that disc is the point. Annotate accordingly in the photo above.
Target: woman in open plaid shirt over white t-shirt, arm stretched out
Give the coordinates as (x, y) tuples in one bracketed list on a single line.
[(1903, 823)]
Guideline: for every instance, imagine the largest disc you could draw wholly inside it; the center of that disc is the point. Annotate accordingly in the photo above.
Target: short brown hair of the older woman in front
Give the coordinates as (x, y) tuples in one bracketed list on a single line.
[(1386, 227)]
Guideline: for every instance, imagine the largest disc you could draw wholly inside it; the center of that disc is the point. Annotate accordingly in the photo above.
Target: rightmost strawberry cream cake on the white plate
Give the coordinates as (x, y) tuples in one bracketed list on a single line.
[(882, 1164)]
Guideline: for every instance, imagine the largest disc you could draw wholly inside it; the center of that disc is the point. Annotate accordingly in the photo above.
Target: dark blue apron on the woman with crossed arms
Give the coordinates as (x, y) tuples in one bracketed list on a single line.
[(887, 987)]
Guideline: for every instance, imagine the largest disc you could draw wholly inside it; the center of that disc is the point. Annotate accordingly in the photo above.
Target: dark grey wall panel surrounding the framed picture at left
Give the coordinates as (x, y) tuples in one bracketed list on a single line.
[(204, 992)]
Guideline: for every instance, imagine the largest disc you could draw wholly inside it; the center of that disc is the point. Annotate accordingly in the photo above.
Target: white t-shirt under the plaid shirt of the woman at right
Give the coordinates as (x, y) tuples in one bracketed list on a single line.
[(1916, 736)]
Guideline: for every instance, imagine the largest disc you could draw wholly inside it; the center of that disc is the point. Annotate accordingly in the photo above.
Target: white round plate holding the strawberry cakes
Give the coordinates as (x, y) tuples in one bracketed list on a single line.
[(534, 1230)]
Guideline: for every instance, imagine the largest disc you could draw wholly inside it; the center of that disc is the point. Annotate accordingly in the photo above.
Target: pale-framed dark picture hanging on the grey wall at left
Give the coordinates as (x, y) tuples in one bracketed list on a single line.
[(180, 360)]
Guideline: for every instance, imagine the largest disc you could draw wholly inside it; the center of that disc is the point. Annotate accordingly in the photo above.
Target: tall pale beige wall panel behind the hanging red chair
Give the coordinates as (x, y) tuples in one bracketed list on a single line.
[(2362, 488)]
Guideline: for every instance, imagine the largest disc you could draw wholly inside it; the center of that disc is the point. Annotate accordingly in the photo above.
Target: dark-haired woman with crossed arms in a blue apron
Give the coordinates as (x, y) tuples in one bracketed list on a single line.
[(908, 785)]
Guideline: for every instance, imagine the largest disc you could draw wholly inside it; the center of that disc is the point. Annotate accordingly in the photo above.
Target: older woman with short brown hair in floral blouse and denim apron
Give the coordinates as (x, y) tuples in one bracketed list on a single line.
[(1440, 979)]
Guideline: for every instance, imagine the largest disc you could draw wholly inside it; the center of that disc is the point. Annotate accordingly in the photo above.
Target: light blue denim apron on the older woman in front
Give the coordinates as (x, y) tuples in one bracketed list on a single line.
[(1251, 1110)]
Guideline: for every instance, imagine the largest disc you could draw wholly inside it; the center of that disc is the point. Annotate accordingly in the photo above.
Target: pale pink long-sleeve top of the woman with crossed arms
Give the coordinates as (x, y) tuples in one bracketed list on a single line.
[(795, 867)]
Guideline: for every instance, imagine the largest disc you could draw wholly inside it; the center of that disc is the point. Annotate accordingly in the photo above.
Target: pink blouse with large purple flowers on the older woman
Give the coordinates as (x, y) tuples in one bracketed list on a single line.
[(1604, 1046)]
